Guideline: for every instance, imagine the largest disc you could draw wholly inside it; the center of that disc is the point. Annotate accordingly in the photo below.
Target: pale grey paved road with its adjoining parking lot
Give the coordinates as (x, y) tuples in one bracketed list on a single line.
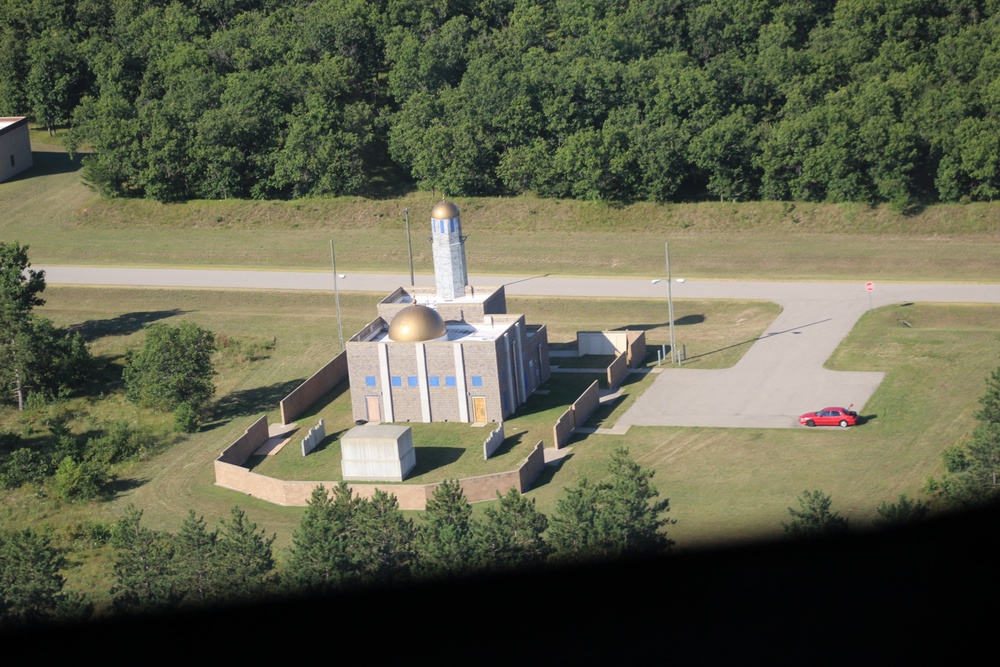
[(780, 377)]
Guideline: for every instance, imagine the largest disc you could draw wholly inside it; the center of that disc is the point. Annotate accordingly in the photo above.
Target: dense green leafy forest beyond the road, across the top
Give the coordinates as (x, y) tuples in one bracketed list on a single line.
[(599, 99)]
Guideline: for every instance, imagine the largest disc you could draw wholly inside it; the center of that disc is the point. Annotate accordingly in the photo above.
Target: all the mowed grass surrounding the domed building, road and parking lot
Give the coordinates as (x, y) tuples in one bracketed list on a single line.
[(724, 484)]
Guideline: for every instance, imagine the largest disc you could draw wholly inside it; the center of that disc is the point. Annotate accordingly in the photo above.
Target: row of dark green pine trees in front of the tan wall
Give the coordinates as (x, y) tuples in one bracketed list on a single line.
[(342, 541)]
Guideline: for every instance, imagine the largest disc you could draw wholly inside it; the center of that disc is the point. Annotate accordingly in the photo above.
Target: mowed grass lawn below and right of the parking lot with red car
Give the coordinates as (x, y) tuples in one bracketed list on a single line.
[(733, 484)]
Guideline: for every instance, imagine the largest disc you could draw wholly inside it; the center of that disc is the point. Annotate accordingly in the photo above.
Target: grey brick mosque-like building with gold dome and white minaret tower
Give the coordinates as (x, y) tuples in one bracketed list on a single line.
[(451, 353)]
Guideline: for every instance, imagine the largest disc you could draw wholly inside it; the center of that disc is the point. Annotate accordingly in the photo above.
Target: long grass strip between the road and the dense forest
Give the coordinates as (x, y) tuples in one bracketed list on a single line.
[(65, 223)]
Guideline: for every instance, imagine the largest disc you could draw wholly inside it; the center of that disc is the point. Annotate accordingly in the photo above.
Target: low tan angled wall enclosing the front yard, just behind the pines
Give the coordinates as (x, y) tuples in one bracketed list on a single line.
[(410, 496)]
